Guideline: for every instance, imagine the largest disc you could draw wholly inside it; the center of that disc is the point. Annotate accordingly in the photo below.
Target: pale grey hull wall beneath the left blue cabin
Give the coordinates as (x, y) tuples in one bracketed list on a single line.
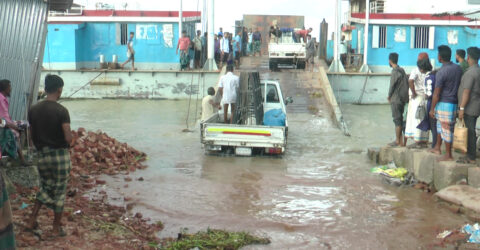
[(138, 84)]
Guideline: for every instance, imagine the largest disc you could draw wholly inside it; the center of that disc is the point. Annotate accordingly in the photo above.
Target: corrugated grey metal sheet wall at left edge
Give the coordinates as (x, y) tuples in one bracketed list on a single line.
[(22, 39)]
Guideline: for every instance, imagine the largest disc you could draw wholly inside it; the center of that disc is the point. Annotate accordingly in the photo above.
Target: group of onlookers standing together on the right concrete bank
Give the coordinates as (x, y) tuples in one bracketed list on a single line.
[(435, 100)]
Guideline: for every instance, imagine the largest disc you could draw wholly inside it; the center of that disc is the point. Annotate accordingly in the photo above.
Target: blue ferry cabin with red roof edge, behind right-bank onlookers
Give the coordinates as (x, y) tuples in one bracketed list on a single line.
[(409, 35)]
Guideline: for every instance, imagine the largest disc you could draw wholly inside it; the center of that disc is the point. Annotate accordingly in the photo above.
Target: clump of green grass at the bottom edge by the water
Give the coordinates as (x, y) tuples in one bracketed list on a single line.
[(215, 239)]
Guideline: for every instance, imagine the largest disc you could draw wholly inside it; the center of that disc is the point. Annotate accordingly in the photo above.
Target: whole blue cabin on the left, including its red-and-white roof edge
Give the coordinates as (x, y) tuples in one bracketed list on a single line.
[(79, 41)]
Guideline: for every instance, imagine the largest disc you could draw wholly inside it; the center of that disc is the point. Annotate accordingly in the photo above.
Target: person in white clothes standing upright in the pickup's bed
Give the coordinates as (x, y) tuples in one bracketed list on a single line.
[(228, 85)]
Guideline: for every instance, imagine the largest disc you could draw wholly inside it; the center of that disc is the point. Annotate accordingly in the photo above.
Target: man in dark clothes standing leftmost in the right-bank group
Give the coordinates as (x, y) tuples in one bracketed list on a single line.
[(397, 97)]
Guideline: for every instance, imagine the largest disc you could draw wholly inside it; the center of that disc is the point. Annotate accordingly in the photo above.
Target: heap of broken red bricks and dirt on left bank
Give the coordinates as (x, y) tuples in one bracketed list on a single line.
[(90, 222)]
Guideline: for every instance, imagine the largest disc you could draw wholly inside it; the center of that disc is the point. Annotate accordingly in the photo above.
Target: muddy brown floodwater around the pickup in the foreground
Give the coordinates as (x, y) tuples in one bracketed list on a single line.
[(319, 195)]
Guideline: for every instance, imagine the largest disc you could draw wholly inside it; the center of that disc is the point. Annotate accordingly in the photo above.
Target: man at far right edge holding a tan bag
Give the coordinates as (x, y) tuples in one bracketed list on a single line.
[(469, 108)]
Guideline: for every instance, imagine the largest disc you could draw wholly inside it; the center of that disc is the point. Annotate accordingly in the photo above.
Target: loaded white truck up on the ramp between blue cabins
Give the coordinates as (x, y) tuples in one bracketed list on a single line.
[(287, 52)]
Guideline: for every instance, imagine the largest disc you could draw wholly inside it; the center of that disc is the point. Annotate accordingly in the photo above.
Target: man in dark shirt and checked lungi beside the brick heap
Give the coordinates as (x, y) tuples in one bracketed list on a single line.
[(51, 135)]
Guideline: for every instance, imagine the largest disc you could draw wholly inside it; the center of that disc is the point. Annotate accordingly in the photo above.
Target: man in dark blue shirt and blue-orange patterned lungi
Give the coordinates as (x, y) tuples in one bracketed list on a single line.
[(445, 100)]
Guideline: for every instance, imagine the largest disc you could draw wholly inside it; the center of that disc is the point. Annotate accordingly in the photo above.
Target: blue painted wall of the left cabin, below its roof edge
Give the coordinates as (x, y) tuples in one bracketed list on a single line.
[(70, 43)]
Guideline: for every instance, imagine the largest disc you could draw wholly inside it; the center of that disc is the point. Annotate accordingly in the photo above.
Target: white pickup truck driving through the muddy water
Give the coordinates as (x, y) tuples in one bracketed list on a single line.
[(248, 139)]
